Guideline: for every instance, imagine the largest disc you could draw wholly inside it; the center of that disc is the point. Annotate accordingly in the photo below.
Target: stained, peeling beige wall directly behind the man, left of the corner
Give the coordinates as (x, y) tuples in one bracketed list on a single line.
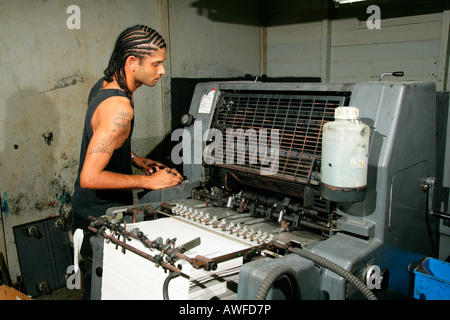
[(47, 70)]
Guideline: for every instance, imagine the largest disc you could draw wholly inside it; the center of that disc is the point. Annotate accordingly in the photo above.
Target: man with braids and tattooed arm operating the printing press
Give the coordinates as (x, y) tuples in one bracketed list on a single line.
[(105, 177)]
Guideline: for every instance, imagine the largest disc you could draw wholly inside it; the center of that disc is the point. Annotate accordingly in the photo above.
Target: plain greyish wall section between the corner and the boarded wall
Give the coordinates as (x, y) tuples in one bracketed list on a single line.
[(214, 38)]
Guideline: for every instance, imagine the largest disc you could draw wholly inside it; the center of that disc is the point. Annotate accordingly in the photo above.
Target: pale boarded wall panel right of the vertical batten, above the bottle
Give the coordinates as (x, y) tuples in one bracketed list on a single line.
[(402, 44)]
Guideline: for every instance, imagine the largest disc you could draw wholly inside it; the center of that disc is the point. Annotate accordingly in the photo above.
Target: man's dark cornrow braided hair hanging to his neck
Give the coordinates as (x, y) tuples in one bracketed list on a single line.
[(138, 41)]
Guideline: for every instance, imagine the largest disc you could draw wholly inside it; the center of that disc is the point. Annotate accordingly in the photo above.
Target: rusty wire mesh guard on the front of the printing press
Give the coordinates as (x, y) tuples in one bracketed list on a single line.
[(298, 120)]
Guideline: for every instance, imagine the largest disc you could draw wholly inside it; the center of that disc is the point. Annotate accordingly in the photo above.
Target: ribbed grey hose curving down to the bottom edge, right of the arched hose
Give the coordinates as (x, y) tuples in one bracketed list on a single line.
[(336, 269)]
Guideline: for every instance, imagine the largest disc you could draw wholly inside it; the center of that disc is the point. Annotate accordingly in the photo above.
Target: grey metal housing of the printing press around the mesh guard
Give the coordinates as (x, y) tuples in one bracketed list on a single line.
[(390, 229)]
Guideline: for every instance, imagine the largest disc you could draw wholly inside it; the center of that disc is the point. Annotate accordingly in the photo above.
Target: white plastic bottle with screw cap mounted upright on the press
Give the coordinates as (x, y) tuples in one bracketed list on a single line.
[(345, 149)]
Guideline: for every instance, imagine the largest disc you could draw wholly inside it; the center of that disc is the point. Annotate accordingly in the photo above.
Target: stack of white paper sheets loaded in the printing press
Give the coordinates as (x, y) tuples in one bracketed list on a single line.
[(130, 276)]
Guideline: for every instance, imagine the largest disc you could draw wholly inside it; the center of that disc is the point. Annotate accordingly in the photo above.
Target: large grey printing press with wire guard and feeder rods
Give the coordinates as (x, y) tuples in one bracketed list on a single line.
[(305, 239)]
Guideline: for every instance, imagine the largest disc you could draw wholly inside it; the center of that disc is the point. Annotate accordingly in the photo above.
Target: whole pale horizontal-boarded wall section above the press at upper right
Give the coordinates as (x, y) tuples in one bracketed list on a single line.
[(356, 53)]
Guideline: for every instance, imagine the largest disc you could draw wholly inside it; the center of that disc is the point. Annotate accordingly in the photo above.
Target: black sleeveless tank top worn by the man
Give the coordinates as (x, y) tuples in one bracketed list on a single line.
[(86, 202)]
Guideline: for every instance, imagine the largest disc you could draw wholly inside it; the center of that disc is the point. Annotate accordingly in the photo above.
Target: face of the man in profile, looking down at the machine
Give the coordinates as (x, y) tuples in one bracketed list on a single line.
[(150, 68)]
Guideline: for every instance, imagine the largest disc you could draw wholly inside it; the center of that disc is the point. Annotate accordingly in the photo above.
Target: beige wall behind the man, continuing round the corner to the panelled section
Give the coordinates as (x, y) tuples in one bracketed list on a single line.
[(47, 70)]
